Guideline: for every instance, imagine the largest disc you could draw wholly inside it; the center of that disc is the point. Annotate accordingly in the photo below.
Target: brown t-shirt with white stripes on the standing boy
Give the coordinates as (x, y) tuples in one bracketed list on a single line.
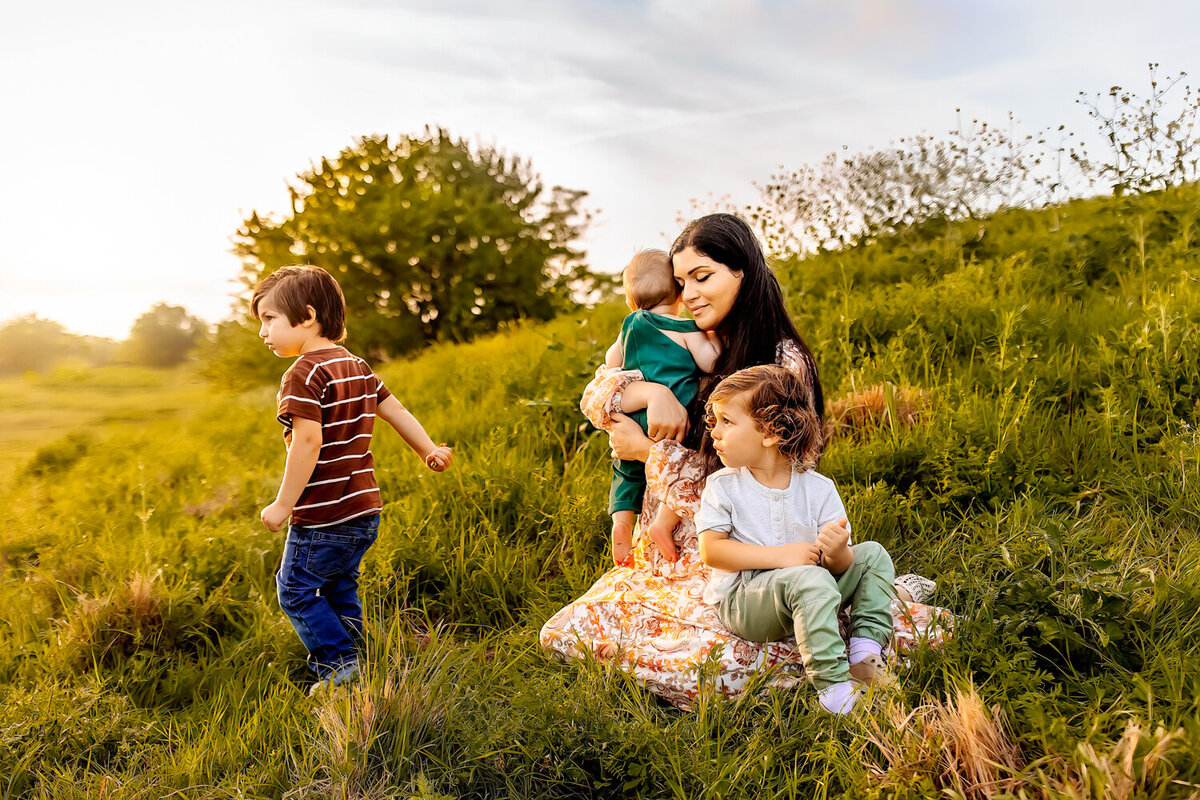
[(338, 389)]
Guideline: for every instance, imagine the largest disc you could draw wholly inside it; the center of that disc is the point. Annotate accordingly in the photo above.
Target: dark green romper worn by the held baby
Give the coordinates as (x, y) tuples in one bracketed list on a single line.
[(645, 347)]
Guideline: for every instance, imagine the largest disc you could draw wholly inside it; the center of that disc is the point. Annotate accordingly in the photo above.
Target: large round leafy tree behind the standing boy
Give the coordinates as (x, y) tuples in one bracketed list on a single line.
[(431, 239)]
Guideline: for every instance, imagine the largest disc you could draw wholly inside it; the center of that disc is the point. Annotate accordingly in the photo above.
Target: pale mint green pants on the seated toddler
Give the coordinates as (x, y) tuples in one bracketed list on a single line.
[(770, 605)]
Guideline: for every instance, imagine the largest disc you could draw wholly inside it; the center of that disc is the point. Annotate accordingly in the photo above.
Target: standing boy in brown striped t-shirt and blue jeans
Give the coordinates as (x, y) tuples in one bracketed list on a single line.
[(328, 402)]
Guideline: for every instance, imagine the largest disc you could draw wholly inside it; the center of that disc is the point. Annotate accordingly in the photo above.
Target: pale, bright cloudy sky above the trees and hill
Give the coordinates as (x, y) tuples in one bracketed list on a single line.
[(135, 137)]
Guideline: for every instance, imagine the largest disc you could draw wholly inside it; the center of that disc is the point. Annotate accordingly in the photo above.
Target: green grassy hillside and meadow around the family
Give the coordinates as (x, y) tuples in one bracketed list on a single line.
[(1018, 401)]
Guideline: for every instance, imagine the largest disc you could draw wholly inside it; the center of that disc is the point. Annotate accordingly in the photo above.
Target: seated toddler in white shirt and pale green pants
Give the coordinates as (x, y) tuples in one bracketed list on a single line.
[(776, 534)]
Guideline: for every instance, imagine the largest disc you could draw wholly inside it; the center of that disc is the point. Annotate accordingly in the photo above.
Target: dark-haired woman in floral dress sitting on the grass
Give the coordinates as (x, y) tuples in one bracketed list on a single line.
[(650, 616)]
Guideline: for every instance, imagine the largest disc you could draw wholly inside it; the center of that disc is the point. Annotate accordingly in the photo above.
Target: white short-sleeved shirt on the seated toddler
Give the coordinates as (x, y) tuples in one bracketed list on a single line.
[(736, 503)]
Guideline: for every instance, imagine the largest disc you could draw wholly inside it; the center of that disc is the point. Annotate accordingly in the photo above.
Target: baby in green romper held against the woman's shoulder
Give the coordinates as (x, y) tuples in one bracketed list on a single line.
[(668, 351)]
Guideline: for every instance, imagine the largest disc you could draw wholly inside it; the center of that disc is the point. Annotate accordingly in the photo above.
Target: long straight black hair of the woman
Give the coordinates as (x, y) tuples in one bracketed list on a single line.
[(755, 326)]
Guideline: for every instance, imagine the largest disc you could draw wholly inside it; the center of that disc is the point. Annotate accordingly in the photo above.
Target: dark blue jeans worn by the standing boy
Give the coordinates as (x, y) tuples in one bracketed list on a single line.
[(319, 588)]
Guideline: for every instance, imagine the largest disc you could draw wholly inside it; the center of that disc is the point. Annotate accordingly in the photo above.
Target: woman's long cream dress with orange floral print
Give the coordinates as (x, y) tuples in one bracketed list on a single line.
[(650, 616)]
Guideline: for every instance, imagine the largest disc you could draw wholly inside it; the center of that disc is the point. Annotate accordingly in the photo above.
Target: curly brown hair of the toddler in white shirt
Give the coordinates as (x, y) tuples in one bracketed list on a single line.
[(775, 399)]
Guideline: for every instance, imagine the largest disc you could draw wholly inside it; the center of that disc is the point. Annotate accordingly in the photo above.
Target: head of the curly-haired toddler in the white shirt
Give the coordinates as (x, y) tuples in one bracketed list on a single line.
[(761, 410)]
